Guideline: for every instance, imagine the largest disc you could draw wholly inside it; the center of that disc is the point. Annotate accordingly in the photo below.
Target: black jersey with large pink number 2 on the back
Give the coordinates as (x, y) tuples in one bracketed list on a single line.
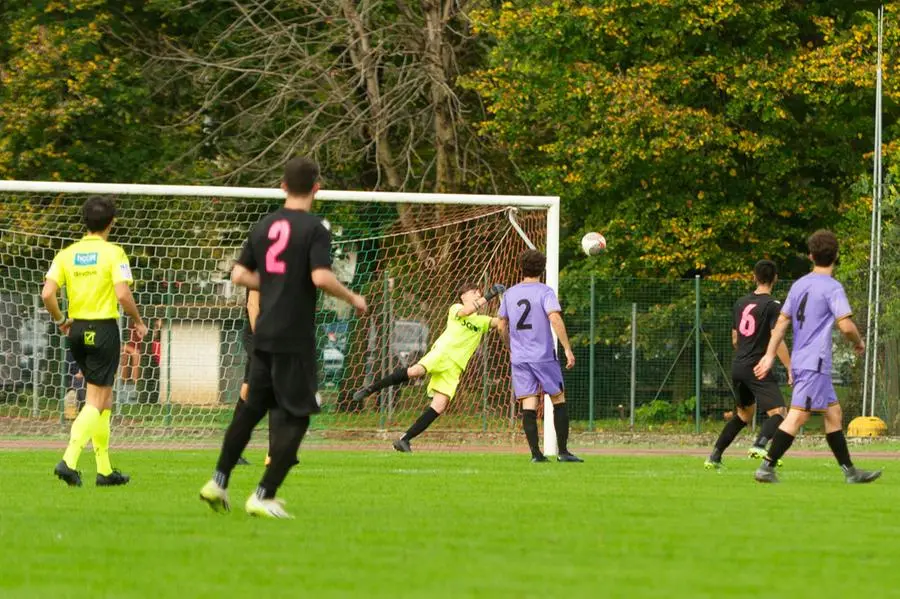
[(285, 247)]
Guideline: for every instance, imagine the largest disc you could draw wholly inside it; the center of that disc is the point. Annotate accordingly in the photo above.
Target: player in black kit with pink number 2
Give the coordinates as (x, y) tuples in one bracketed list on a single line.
[(288, 258)]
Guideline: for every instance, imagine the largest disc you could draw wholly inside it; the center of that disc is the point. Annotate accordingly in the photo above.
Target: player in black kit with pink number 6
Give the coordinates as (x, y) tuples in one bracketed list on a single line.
[(754, 318)]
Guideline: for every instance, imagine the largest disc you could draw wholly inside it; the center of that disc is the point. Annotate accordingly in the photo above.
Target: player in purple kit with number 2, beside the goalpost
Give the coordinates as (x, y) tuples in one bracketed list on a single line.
[(534, 311)]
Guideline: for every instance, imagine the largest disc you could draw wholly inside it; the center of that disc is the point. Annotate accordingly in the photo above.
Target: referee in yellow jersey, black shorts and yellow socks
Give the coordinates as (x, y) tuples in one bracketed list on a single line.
[(97, 276)]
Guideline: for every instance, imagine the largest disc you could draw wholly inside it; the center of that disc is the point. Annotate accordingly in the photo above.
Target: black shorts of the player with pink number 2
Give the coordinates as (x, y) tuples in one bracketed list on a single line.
[(287, 381)]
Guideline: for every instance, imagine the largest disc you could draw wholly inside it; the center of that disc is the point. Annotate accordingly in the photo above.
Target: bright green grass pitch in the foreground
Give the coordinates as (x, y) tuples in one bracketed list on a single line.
[(381, 524)]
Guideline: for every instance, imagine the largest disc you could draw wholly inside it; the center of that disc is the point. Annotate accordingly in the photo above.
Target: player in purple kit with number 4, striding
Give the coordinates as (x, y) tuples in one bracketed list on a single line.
[(816, 301)]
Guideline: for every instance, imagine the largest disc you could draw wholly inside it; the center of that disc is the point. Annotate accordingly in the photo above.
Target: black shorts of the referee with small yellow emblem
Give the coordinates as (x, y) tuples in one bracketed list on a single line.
[(95, 345)]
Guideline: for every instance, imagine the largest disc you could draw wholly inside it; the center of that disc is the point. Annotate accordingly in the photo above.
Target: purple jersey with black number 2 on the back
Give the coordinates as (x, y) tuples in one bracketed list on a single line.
[(527, 306)]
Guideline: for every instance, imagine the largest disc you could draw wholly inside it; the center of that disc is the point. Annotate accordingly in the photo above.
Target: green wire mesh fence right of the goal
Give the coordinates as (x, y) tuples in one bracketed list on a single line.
[(653, 352)]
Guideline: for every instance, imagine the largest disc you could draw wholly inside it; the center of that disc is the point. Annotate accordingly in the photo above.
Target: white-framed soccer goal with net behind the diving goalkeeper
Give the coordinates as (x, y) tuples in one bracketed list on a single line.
[(406, 252)]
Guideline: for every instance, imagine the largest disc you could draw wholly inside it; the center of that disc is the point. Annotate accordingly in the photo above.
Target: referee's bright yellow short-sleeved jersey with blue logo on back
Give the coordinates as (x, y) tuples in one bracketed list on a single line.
[(90, 269)]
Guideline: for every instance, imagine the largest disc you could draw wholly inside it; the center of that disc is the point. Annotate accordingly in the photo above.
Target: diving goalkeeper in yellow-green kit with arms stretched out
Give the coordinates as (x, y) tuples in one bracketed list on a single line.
[(446, 360)]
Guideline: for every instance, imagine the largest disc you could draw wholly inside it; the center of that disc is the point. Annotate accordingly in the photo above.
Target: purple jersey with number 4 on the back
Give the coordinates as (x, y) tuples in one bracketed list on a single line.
[(814, 304)]
